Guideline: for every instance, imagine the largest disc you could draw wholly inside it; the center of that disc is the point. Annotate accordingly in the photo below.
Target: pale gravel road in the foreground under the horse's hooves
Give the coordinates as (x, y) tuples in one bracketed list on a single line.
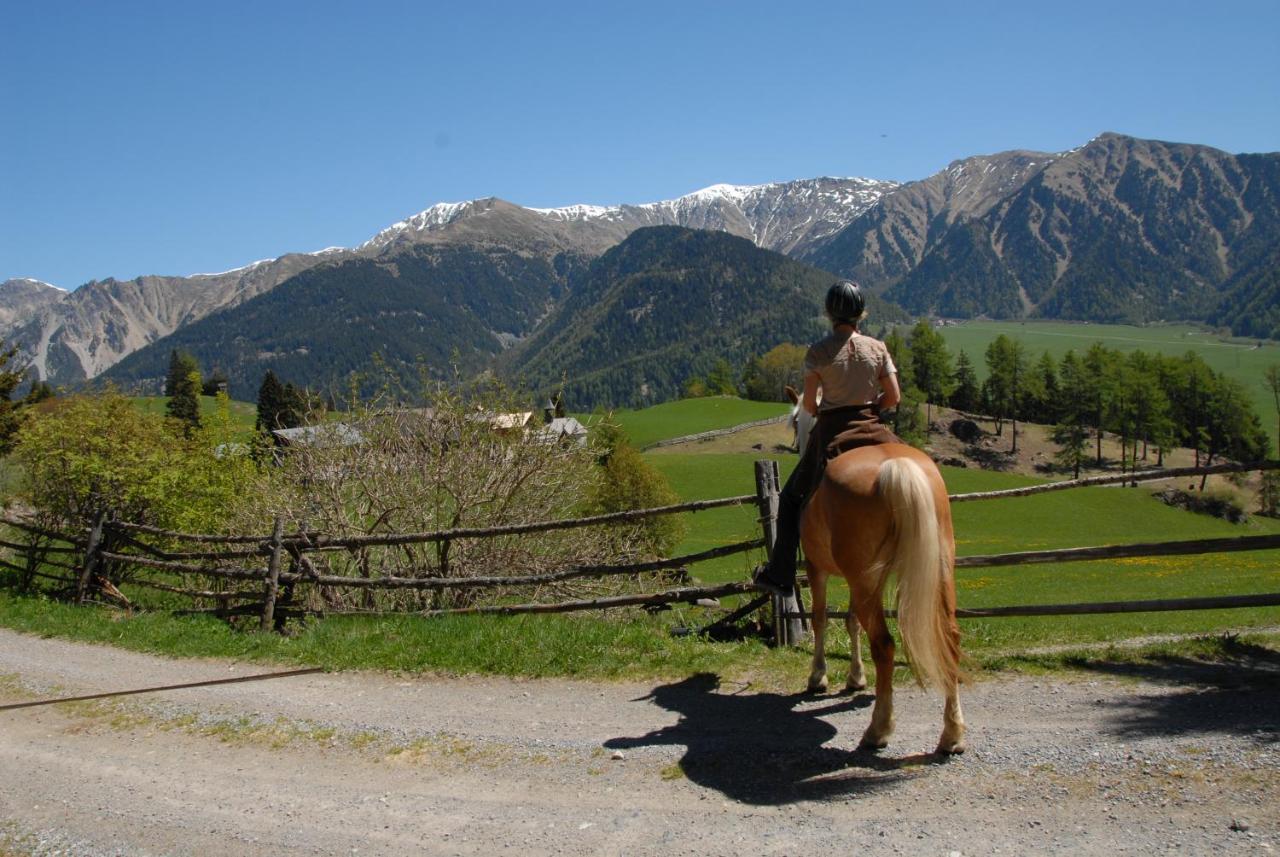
[(1183, 759)]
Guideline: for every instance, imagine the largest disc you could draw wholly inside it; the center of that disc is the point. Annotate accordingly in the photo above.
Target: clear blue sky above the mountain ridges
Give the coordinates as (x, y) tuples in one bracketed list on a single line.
[(176, 139)]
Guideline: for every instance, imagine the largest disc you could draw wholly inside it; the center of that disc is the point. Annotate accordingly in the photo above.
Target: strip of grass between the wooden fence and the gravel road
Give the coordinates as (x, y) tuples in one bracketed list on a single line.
[(632, 648)]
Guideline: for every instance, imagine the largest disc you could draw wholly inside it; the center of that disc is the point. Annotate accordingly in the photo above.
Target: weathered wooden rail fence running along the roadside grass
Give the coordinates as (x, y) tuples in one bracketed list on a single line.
[(262, 576)]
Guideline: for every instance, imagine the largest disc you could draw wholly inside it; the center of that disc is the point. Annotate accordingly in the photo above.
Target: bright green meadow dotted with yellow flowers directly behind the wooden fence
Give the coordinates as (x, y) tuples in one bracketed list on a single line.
[(1081, 517)]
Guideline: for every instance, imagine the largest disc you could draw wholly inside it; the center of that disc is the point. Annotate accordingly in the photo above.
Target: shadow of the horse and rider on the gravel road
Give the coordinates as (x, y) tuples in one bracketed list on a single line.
[(760, 749)]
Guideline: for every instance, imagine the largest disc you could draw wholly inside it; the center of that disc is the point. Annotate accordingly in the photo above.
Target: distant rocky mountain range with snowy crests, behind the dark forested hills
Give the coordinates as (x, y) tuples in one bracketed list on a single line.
[(1119, 230)]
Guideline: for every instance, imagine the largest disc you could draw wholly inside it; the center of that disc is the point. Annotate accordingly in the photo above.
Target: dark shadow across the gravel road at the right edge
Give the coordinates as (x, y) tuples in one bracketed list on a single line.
[(1238, 691)]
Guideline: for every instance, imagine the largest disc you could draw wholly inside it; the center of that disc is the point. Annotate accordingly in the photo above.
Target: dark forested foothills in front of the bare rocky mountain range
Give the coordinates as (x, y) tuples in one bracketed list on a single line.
[(628, 327)]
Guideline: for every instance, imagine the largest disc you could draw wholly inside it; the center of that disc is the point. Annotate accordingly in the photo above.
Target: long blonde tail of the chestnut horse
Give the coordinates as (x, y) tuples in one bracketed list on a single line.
[(920, 562)]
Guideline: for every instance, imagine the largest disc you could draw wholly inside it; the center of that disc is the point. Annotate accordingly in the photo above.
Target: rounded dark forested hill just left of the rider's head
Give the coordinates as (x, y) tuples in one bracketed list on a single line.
[(666, 306)]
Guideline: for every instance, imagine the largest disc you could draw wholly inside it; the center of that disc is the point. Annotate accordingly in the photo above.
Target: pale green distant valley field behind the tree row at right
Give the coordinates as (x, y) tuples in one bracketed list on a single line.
[(1245, 360)]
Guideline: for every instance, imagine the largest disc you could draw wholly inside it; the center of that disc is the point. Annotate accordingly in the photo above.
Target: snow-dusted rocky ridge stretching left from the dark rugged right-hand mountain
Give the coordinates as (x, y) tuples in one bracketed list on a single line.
[(95, 327)]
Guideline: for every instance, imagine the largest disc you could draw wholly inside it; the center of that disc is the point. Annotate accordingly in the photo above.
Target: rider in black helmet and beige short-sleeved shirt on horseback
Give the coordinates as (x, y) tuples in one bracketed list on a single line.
[(858, 379)]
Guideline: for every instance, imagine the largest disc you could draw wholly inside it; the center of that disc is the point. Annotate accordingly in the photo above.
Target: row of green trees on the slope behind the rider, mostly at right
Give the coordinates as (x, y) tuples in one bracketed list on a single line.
[(1151, 402)]
